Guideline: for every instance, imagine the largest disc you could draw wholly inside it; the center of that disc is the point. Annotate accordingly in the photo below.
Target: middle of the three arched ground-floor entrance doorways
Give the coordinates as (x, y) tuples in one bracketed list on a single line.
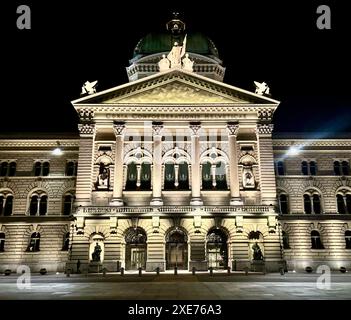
[(176, 249)]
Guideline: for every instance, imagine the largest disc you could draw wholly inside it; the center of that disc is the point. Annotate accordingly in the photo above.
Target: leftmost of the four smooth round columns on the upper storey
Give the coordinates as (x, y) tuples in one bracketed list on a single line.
[(117, 198)]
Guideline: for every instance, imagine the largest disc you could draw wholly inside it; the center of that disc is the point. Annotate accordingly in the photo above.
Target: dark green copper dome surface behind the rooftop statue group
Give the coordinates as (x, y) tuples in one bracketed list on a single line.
[(163, 42)]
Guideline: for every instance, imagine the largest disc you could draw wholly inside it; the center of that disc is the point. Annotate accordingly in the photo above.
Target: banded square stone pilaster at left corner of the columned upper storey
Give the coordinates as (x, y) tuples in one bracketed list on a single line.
[(85, 164)]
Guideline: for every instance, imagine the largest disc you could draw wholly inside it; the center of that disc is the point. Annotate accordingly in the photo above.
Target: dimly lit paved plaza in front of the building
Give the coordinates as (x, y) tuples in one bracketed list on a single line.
[(184, 286)]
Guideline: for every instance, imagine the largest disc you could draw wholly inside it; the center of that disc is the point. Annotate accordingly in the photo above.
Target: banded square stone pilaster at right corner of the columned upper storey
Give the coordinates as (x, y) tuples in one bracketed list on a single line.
[(266, 163)]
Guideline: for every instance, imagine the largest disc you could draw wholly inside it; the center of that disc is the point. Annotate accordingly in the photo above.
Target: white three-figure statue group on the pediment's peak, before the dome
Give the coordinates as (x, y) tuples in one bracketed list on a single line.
[(175, 58)]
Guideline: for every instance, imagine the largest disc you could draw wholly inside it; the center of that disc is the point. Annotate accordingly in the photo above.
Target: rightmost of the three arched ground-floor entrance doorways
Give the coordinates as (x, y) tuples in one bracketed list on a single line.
[(217, 249)]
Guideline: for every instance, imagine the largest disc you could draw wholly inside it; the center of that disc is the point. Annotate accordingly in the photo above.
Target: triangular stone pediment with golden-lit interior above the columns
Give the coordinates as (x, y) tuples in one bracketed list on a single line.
[(175, 87)]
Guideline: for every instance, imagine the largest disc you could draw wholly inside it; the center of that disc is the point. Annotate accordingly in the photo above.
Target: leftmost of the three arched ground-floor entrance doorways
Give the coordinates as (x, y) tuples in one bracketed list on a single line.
[(135, 248)]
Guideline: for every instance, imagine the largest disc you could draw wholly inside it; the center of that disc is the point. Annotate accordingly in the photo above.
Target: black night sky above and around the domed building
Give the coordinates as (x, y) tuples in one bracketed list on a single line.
[(70, 42)]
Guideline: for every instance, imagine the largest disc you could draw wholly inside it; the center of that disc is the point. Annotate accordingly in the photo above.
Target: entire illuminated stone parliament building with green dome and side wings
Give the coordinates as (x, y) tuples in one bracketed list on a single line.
[(175, 169)]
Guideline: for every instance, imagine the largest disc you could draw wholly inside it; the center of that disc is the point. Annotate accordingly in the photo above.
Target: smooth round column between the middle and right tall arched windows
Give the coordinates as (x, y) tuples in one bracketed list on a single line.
[(195, 166)]
